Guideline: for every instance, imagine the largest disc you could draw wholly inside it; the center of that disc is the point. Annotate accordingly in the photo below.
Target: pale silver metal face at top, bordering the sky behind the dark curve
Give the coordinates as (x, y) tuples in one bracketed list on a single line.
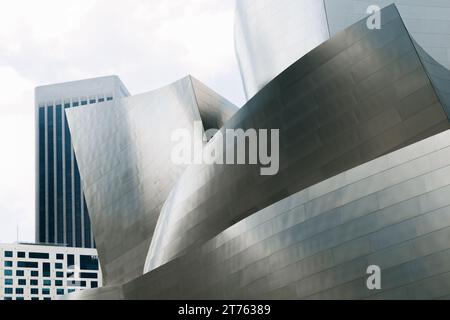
[(270, 35)]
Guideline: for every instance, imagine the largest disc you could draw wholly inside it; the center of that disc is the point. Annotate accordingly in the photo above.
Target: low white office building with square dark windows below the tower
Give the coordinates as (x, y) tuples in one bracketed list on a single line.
[(36, 272)]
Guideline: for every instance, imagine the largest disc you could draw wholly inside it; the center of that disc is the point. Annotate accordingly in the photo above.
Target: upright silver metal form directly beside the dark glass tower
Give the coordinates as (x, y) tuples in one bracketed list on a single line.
[(124, 155)]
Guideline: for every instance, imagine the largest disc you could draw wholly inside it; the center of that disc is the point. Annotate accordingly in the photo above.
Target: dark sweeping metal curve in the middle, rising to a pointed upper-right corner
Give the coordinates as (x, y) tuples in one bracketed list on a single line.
[(358, 96)]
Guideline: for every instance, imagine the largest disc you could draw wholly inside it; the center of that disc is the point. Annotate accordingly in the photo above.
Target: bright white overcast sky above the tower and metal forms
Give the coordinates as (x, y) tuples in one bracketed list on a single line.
[(147, 43)]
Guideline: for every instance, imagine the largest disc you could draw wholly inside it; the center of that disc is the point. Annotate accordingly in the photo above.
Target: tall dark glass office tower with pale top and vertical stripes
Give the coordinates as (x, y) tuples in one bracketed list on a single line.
[(61, 212)]
